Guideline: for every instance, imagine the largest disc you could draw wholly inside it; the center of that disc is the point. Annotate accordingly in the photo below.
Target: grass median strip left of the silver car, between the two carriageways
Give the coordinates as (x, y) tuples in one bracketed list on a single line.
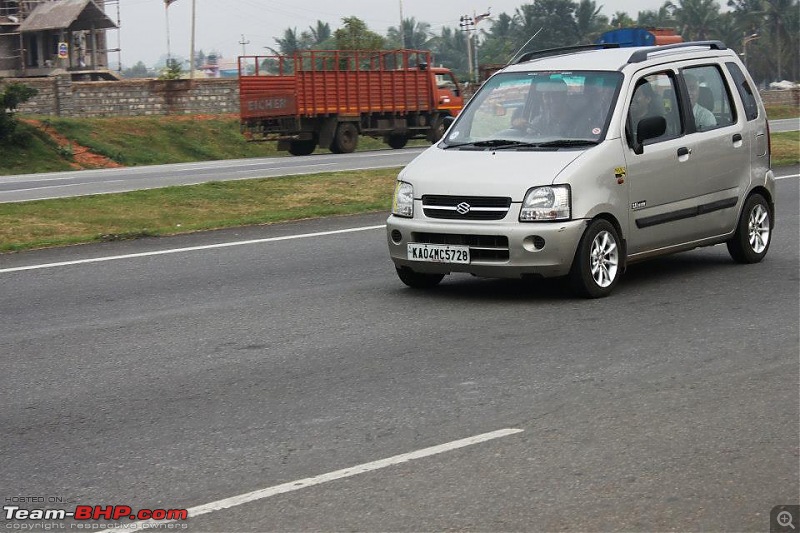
[(175, 210)]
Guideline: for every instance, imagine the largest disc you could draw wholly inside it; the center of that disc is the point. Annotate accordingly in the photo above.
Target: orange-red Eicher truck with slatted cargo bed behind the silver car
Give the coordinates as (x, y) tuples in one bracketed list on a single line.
[(328, 98)]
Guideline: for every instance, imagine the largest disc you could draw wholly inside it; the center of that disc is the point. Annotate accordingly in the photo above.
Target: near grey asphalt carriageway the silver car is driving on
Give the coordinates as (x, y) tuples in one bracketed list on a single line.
[(217, 378)]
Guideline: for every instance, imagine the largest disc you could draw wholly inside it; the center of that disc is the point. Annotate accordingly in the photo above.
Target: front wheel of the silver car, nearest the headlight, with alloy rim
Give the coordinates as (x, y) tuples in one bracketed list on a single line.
[(597, 265)]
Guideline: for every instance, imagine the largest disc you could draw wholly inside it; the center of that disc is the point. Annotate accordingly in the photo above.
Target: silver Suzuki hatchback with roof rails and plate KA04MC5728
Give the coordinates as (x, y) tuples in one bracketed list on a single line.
[(579, 161)]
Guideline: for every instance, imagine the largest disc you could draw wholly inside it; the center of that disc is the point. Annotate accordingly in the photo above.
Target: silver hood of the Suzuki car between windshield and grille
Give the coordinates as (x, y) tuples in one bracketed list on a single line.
[(485, 173)]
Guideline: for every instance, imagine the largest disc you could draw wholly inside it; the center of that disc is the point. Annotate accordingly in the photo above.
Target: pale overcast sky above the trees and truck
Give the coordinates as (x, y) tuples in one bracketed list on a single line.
[(222, 26)]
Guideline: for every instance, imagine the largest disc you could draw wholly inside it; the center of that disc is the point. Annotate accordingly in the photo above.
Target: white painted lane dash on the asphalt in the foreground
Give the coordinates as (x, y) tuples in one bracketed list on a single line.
[(261, 494)]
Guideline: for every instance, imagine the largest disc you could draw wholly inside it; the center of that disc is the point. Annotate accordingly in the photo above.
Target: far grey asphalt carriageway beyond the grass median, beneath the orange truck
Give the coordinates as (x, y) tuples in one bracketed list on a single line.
[(26, 187)]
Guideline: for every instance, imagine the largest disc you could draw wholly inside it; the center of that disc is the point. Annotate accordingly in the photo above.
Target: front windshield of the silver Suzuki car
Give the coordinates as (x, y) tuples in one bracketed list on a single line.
[(524, 110)]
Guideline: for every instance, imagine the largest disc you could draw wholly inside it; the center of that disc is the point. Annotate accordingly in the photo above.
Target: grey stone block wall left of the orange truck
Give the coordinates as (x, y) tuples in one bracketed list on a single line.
[(60, 96)]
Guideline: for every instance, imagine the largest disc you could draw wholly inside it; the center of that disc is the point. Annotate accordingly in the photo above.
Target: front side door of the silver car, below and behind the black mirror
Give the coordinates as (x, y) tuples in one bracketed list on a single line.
[(661, 179)]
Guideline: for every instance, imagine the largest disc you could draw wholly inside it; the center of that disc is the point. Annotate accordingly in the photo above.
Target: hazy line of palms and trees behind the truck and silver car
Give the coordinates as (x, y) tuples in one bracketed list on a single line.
[(765, 32)]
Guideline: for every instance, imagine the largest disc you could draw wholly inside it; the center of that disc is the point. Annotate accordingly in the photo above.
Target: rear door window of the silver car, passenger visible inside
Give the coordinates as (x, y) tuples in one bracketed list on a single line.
[(709, 98)]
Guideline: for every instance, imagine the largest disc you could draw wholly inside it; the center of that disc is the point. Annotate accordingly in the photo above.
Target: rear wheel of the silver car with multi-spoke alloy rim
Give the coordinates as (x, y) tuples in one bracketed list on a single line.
[(753, 235)]
